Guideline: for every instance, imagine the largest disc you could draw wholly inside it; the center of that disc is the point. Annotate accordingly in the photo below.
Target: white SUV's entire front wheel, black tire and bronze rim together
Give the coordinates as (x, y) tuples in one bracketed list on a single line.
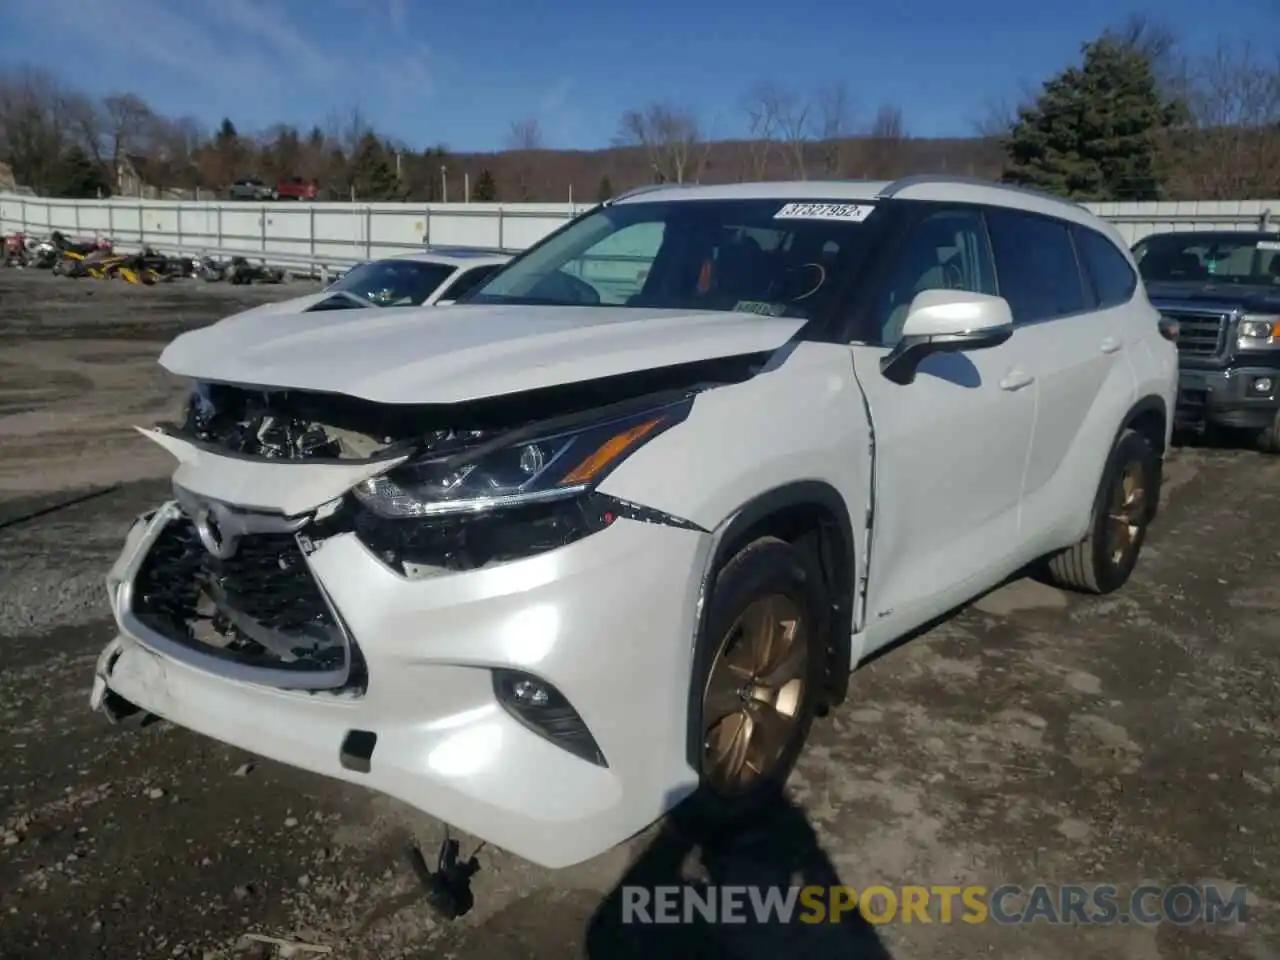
[(758, 676)]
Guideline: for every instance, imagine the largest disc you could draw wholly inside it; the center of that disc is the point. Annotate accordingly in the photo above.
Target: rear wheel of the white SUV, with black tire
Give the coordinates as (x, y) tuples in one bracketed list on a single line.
[(1104, 560)]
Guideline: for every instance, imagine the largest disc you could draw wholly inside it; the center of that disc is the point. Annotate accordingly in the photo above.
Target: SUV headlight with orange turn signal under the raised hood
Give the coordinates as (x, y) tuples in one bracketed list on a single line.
[(520, 468)]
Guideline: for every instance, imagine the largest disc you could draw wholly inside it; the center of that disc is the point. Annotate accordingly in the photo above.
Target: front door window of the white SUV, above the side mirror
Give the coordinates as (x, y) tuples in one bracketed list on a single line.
[(945, 252)]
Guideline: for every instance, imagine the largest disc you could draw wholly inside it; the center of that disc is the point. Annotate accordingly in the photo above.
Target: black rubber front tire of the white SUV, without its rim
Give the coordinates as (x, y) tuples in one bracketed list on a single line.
[(766, 568)]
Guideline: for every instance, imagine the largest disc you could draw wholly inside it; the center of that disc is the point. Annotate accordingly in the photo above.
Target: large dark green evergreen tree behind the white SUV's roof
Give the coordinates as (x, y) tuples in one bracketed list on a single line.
[(1095, 131)]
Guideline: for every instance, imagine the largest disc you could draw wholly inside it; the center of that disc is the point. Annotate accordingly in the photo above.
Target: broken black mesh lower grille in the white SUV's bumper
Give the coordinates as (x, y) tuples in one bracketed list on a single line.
[(260, 609)]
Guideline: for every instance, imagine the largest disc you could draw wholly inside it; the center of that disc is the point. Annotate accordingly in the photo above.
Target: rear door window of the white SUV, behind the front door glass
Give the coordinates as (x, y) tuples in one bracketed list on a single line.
[(1036, 264)]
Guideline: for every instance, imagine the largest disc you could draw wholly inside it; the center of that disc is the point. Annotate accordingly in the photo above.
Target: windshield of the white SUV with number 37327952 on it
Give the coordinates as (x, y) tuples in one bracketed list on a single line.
[(762, 257)]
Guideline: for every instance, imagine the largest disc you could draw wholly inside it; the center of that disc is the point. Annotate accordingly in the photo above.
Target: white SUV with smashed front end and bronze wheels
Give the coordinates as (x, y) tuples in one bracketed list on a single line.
[(612, 532)]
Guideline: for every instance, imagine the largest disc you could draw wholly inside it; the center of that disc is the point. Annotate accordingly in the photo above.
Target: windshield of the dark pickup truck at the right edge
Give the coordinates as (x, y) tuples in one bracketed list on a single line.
[(1209, 258)]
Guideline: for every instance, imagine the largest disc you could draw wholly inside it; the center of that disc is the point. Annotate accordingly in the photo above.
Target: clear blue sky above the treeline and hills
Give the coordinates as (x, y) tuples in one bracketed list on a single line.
[(460, 72)]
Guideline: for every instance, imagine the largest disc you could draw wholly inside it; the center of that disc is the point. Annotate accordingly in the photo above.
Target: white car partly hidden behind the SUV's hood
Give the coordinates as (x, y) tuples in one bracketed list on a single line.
[(431, 278)]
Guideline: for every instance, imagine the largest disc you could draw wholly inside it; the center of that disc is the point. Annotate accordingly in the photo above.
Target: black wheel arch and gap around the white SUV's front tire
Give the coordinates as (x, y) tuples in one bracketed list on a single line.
[(811, 515)]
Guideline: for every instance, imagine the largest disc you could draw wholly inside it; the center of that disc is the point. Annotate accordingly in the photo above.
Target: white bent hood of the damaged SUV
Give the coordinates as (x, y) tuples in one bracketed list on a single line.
[(467, 353)]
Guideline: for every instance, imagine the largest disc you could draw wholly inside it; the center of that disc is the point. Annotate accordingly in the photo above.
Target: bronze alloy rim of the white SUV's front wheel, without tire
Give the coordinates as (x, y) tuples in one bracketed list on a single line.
[(755, 696)]
